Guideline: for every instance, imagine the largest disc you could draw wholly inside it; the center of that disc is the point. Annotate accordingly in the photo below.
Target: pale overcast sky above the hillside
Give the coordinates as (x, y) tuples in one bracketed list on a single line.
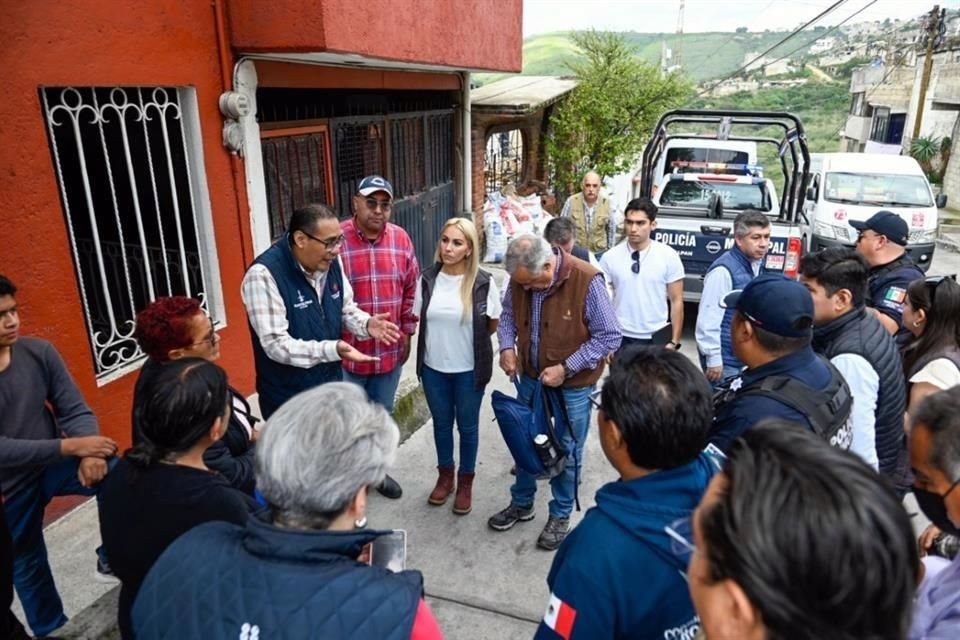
[(655, 16)]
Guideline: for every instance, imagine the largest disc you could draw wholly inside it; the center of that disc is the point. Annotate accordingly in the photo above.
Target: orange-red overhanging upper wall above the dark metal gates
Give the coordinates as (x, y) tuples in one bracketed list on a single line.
[(467, 34)]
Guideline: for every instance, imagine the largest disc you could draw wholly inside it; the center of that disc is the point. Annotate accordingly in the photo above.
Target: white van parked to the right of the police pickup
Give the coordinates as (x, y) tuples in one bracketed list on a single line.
[(854, 186)]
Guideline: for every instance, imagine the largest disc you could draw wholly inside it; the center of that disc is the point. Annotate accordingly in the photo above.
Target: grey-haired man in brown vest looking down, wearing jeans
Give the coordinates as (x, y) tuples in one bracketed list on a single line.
[(557, 327)]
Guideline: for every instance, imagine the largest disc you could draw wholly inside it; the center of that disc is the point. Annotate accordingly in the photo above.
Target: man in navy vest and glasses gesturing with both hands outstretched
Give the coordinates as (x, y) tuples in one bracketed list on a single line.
[(298, 303)]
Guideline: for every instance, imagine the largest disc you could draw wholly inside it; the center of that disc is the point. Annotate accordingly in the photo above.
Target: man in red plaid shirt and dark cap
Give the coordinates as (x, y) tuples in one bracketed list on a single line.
[(380, 263)]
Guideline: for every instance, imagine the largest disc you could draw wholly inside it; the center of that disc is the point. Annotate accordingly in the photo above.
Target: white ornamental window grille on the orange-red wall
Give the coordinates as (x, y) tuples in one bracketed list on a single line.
[(130, 169)]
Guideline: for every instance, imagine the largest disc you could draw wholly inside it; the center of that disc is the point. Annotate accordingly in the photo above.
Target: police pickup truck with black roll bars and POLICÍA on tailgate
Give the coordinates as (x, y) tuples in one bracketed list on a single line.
[(698, 200)]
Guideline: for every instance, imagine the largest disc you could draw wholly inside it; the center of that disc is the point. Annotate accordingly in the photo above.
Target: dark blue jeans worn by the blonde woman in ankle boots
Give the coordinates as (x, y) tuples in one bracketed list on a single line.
[(452, 396)]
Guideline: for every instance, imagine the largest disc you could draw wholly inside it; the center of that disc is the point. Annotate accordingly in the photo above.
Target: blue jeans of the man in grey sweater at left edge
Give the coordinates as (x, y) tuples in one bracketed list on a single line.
[(31, 570)]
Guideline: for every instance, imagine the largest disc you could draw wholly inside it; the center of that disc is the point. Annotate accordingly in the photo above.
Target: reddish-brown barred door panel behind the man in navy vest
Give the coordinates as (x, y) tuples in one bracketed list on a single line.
[(297, 169)]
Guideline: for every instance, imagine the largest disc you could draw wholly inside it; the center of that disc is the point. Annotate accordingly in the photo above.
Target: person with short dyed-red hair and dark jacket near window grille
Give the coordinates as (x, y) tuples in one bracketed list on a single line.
[(175, 327)]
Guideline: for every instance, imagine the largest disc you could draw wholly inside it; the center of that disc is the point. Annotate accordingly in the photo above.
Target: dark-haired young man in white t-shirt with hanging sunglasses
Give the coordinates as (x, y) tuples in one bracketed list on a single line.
[(645, 274)]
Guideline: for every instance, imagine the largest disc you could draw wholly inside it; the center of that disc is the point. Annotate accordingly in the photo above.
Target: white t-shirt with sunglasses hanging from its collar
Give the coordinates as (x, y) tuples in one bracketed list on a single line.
[(640, 299)]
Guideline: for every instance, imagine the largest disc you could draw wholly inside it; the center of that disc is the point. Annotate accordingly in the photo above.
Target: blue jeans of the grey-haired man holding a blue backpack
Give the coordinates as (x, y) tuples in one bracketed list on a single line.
[(524, 489)]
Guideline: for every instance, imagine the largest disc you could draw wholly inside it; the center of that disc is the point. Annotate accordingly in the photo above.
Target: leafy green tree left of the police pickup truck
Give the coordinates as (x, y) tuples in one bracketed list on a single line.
[(605, 121)]
